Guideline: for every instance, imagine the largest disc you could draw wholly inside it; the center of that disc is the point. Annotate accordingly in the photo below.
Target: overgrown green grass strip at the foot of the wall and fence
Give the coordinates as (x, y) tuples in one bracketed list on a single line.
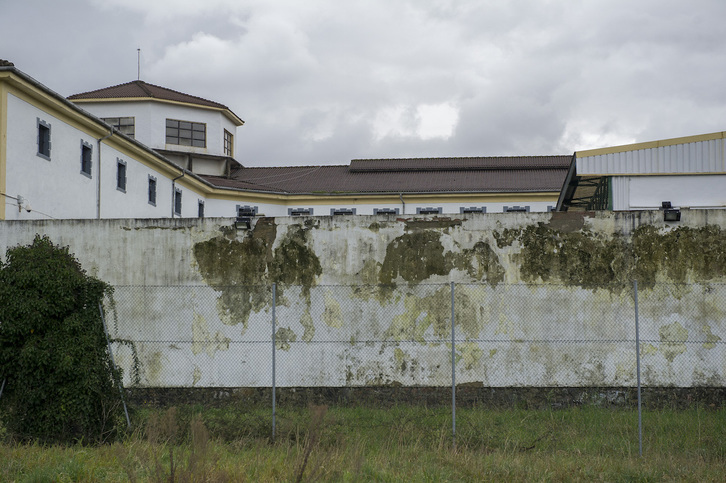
[(404, 443)]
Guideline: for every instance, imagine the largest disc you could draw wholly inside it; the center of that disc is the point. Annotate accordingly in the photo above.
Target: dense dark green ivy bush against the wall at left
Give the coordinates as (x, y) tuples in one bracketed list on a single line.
[(60, 383)]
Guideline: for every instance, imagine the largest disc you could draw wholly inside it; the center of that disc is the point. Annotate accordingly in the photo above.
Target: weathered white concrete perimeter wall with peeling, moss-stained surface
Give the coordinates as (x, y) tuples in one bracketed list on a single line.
[(542, 299)]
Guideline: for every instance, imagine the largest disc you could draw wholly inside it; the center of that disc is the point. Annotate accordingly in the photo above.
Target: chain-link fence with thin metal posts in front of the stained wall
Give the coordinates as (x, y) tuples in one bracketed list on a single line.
[(385, 344)]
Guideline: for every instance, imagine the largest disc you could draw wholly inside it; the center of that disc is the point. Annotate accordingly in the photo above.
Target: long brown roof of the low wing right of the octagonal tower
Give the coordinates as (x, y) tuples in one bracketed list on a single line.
[(427, 175)]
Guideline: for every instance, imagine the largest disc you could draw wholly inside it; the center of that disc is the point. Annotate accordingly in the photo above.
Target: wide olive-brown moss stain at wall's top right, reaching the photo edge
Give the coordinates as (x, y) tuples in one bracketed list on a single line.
[(588, 260)]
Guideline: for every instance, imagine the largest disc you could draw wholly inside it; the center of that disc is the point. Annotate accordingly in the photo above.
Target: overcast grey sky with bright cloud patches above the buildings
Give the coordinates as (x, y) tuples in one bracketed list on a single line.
[(327, 81)]
